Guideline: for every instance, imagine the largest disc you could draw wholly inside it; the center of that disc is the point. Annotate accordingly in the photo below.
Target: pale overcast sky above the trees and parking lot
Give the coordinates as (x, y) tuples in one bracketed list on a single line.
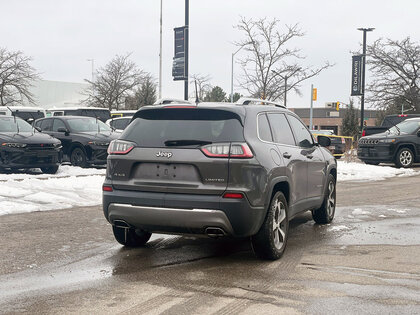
[(60, 35)]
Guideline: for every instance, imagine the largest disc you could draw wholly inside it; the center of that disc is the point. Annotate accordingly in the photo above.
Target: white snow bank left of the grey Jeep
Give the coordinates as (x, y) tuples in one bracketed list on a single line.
[(70, 187)]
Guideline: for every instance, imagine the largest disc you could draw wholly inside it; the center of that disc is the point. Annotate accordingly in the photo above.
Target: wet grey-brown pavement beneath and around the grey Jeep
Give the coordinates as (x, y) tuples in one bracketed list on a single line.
[(367, 261)]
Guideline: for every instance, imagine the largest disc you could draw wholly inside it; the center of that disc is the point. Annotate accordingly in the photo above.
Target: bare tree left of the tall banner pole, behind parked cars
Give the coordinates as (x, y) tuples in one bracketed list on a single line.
[(114, 83)]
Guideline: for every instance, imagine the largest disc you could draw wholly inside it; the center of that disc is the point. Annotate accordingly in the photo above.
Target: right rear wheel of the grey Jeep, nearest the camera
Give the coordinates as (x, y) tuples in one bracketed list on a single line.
[(271, 240)]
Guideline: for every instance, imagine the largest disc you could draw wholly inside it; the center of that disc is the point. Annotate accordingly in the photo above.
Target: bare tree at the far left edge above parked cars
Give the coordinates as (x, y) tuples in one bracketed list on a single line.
[(16, 78)]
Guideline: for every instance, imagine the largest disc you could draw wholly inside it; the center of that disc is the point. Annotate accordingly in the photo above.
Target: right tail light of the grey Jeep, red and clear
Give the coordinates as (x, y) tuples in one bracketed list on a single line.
[(232, 150)]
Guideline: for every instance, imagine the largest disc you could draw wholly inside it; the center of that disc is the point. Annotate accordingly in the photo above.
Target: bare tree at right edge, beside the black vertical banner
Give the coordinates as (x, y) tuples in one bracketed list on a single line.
[(395, 67)]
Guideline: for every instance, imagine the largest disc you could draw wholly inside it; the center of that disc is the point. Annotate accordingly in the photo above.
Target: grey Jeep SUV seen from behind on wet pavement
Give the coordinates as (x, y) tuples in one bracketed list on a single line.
[(217, 169)]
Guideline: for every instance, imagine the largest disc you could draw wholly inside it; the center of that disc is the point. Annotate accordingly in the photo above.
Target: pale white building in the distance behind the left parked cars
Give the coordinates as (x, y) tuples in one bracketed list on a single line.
[(49, 94)]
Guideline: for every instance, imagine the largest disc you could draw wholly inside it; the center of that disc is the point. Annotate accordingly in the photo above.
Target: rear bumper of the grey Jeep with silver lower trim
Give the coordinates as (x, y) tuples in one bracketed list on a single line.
[(182, 213)]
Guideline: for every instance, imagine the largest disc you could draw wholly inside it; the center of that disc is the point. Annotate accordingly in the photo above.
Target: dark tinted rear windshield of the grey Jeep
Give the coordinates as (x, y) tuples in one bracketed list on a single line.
[(152, 127)]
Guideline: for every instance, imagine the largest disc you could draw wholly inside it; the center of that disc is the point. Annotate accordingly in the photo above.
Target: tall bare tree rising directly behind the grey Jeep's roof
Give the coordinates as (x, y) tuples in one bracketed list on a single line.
[(270, 62)]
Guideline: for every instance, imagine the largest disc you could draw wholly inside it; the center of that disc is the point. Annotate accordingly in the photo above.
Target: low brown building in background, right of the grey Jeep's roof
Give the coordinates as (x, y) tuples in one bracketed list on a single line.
[(329, 118)]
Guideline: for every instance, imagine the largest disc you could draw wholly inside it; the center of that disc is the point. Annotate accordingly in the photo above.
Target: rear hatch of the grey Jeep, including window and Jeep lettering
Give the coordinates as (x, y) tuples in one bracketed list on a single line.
[(176, 150)]
